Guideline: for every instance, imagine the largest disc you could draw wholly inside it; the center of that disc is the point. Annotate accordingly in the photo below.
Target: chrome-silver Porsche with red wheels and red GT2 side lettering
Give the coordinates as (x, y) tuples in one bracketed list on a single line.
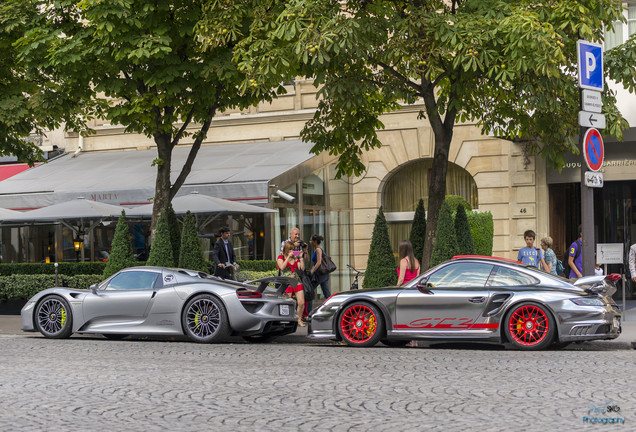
[(473, 298)]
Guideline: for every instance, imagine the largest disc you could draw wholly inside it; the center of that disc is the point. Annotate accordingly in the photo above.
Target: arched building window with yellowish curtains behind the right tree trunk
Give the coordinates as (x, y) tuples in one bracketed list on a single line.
[(406, 186)]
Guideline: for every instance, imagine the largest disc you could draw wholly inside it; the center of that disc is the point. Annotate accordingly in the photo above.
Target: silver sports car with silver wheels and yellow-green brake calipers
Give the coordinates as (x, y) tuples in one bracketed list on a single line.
[(165, 301)]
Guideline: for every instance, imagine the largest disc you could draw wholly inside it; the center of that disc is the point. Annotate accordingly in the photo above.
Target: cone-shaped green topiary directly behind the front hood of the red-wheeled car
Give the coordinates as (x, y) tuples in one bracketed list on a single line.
[(381, 268)]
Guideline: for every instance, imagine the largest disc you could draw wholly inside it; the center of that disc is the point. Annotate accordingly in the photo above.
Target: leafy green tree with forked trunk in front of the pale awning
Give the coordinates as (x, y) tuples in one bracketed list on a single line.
[(139, 64)]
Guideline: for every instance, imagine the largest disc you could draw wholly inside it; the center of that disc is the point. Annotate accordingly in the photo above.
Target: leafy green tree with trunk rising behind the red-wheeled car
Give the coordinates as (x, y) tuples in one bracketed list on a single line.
[(507, 65)]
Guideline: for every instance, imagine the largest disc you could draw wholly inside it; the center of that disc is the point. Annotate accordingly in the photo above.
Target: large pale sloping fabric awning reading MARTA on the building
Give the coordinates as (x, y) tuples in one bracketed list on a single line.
[(239, 172)]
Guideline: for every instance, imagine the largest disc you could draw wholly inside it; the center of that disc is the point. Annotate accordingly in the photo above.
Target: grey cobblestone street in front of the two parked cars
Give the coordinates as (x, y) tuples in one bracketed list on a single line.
[(93, 384)]
